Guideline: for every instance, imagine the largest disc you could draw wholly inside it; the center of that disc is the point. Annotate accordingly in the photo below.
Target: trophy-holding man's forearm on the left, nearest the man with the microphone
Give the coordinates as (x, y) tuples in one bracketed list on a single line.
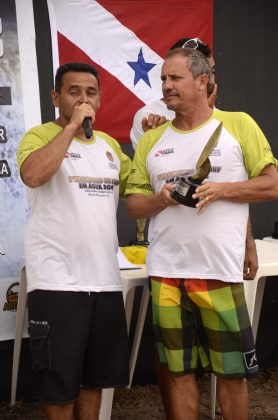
[(141, 206)]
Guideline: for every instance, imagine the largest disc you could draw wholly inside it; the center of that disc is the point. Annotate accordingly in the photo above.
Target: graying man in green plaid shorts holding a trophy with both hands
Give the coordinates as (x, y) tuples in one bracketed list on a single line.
[(194, 178)]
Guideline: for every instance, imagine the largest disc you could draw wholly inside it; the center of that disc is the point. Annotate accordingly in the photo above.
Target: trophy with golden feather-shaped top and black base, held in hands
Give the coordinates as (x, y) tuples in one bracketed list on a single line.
[(187, 185)]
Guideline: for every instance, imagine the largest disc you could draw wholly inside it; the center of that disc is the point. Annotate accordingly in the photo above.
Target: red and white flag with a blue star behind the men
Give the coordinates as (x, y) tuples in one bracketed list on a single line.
[(127, 41)]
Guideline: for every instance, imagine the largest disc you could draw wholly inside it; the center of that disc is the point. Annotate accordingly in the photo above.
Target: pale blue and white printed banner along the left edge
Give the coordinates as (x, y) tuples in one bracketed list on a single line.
[(16, 106)]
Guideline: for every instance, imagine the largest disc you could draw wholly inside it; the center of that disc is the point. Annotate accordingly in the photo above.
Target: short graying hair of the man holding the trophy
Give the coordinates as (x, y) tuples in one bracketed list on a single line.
[(197, 62)]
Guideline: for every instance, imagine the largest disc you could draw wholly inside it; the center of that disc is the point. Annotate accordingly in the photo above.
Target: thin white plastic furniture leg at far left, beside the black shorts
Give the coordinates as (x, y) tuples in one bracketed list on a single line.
[(20, 316)]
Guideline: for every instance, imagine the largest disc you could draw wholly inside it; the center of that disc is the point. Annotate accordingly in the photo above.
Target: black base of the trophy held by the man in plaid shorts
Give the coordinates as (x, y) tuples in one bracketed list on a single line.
[(183, 192)]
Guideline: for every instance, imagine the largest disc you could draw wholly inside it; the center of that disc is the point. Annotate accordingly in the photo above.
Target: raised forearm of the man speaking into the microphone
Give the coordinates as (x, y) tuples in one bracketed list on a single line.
[(42, 164)]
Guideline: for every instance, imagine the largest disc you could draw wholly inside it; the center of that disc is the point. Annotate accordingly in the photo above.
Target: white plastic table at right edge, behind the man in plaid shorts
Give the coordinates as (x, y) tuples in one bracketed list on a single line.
[(254, 290)]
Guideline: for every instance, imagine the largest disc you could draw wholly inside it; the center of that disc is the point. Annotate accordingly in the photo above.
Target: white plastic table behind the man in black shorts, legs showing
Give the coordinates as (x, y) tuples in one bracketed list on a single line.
[(131, 279)]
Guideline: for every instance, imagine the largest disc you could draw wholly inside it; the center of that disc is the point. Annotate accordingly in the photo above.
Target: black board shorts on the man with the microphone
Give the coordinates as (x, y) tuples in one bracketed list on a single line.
[(77, 339)]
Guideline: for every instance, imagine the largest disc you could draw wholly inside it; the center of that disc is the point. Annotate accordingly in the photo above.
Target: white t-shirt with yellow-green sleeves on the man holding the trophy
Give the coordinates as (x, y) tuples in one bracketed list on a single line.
[(182, 243)]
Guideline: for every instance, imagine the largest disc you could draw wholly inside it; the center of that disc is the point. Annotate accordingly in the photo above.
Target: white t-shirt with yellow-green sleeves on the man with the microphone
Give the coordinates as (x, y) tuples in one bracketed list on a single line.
[(71, 238)]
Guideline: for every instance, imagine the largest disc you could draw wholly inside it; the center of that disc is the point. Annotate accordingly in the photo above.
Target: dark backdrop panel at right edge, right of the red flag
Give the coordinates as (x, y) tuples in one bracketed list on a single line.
[(245, 49)]
